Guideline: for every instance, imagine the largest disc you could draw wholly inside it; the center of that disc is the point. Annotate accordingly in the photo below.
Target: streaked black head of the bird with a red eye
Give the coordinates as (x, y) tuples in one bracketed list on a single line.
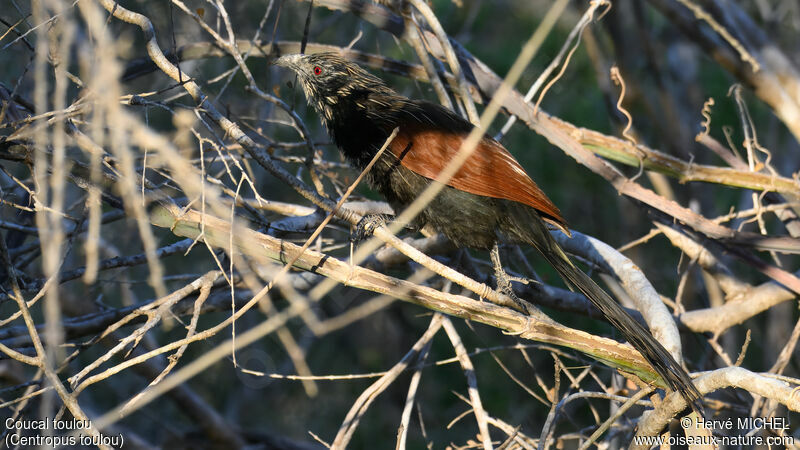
[(332, 83)]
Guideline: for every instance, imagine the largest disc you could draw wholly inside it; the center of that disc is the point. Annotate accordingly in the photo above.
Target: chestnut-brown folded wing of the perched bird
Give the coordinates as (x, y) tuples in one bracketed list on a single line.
[(490, 170)]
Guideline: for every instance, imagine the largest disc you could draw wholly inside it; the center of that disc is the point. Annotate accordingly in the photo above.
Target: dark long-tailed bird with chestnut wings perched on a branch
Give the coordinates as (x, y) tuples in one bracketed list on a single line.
[(490, 199)]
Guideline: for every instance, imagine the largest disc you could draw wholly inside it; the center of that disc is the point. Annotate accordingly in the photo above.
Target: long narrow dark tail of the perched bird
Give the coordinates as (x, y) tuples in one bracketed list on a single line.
[(641, 339)]
